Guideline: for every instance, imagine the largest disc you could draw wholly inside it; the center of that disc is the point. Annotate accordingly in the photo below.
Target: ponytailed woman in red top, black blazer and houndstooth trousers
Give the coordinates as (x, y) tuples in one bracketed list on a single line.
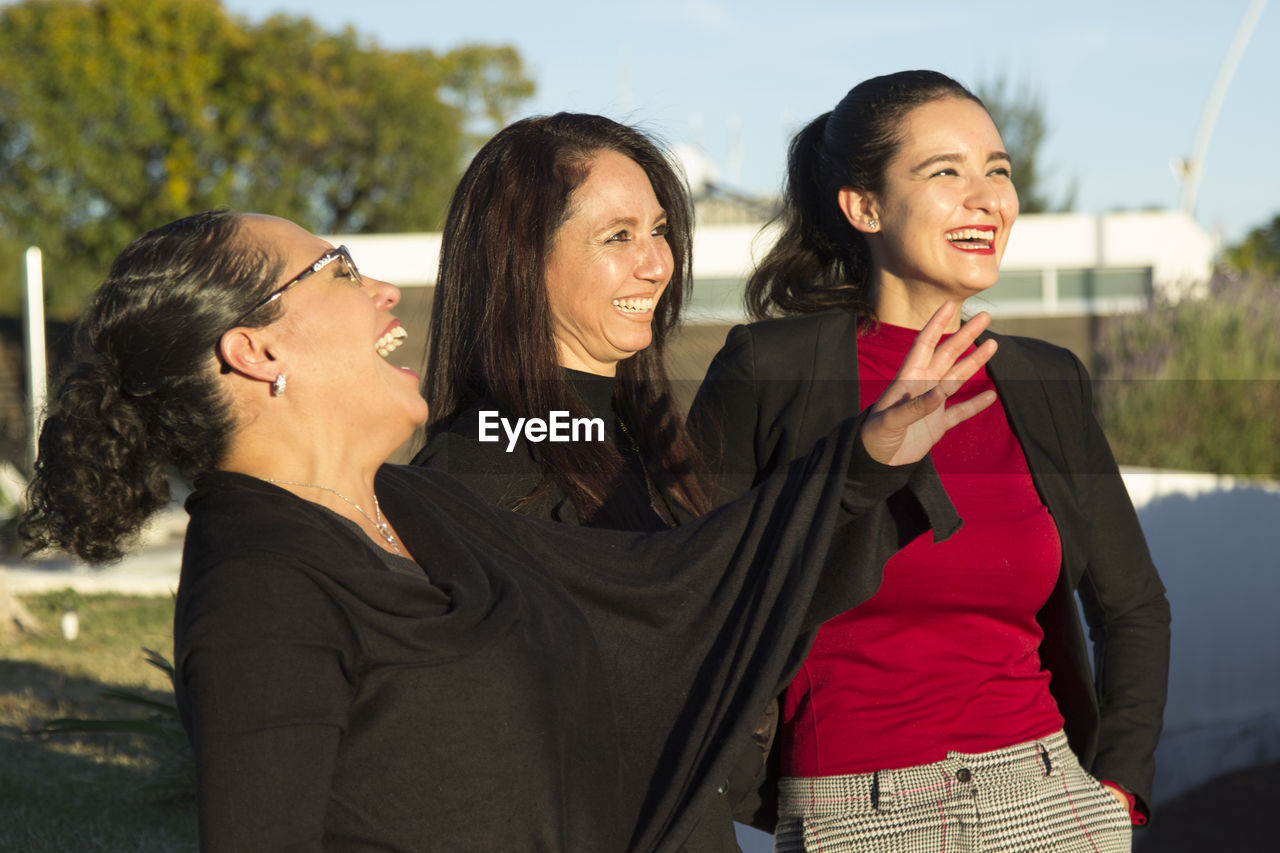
[(957, 710)]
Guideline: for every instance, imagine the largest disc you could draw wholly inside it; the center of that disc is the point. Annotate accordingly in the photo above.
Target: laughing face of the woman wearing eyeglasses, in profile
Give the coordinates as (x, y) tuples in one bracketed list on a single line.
[(337, 331)]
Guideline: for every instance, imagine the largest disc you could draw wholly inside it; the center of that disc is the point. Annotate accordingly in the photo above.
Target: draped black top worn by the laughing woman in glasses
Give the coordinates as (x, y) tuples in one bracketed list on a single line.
[(540, 687)]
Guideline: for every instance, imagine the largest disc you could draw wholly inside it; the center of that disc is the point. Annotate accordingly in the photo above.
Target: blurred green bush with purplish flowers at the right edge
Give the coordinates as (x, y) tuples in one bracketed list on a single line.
[(1196, 385)]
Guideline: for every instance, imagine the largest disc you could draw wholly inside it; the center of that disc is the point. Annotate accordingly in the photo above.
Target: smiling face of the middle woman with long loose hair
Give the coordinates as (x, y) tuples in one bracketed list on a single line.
[(609, 267)]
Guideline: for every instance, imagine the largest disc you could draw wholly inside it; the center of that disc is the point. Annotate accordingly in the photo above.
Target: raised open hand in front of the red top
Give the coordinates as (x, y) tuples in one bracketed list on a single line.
[(911, 417)]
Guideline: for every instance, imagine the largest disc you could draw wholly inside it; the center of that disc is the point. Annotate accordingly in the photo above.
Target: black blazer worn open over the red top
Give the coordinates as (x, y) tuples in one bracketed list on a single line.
[(779, 385)]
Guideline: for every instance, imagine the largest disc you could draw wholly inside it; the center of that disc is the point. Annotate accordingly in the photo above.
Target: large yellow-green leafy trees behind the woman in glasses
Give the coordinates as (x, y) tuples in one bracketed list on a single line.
[(118, 116)]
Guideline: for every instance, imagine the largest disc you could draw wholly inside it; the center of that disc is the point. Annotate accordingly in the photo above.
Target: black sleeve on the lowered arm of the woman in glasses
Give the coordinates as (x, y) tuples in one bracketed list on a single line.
[(262, 686)]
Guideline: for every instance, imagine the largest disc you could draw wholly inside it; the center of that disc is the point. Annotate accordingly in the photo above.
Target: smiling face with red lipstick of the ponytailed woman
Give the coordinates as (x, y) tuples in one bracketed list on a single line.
[(947, 208)]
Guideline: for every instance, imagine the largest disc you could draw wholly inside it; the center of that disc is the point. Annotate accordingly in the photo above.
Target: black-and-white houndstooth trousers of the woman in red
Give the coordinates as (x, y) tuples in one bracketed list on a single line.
[(1028, 799)]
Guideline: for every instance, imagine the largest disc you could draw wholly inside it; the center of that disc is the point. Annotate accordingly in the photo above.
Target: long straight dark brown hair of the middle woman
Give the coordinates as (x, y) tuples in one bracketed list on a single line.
[(492, 335)]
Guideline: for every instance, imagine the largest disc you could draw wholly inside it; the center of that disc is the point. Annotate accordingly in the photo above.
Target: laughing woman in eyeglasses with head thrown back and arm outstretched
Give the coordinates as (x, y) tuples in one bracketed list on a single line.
[(371, 658)]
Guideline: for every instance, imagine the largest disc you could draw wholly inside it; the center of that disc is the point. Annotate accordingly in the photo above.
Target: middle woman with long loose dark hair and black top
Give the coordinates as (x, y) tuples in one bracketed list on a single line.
[(564, 268)]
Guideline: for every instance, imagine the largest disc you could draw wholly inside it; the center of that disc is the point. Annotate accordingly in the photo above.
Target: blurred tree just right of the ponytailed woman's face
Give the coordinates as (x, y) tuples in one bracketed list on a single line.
[(1021, 120)]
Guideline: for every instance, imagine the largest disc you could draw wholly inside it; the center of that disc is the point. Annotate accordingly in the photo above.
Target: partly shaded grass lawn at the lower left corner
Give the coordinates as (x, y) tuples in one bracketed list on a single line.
[(88, 792)]
